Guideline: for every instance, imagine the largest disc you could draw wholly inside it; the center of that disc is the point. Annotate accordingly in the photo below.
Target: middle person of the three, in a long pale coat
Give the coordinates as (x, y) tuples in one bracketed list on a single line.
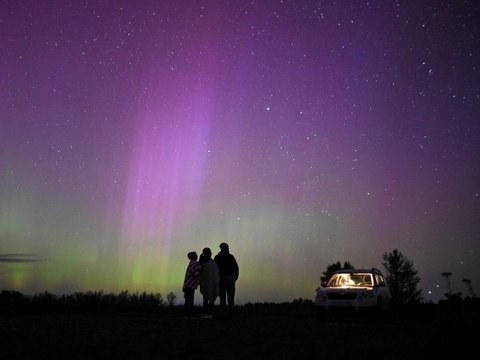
[(209, 282)]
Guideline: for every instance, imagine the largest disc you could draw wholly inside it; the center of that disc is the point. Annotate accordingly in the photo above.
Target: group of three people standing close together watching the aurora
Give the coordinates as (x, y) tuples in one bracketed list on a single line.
[(216, 278)]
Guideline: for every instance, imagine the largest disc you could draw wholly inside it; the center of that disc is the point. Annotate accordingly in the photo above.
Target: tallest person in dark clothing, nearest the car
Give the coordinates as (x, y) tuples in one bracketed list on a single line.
[(229, 271)]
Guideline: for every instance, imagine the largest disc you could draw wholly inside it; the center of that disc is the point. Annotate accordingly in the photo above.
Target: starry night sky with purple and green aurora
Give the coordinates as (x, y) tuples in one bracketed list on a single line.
[(300, 132)]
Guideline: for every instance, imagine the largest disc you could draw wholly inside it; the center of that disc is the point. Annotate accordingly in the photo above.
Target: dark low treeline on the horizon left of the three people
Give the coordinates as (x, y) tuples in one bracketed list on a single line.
[(90, 301)]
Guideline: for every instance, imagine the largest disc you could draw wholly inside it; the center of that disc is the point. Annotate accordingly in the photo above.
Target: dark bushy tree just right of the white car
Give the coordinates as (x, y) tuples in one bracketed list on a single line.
[(402, 278)]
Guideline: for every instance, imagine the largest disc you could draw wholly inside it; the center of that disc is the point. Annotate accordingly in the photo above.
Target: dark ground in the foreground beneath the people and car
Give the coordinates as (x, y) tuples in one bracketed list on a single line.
[(266, 334)]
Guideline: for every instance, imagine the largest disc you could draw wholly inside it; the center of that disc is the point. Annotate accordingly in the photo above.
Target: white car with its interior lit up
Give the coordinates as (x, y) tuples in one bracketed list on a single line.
[(353, 291)]
